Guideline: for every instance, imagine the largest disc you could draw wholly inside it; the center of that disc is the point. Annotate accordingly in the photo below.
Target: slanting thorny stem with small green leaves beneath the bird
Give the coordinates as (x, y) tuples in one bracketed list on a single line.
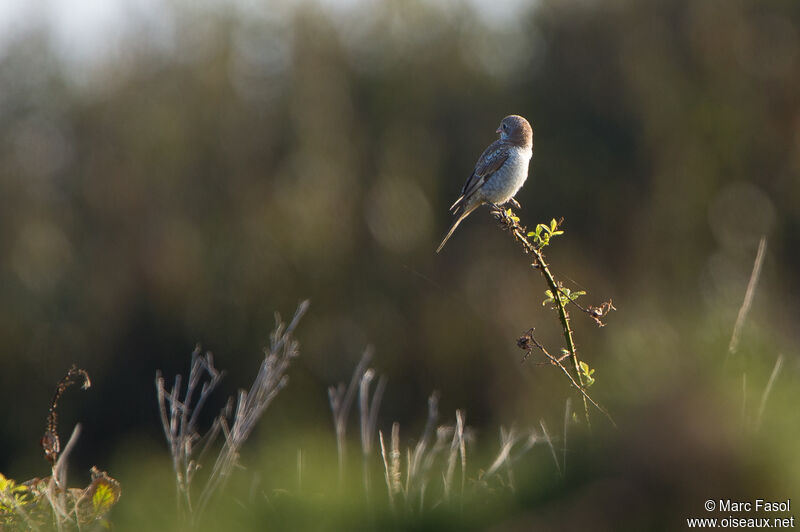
[(510, 222)]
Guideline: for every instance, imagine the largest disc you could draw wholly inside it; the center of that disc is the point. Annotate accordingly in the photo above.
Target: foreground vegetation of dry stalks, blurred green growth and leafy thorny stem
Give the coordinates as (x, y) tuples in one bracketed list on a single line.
[(570, 475)]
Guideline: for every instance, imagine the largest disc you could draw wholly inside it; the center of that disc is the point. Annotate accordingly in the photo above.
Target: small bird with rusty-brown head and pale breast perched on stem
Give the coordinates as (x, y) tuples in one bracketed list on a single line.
[(499, 173)]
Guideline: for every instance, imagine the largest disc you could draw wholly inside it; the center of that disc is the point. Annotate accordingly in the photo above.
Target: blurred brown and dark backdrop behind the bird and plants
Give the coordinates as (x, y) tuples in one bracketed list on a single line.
[(174, 172)]
